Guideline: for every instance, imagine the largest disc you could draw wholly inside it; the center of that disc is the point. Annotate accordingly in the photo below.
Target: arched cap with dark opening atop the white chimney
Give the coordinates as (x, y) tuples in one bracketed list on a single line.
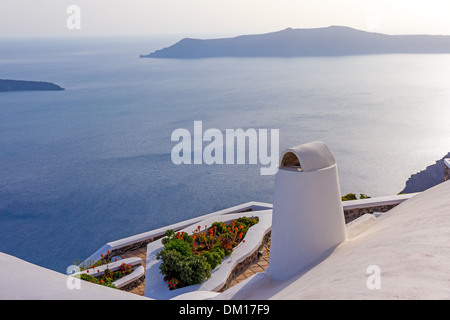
[(307, 157)]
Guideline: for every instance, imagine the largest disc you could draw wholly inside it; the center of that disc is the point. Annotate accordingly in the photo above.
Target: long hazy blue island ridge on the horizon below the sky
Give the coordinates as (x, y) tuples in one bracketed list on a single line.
[(330, 41)]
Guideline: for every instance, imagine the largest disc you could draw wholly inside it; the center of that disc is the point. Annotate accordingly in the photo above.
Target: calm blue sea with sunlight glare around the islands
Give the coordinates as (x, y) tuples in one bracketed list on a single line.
[(92, 164)]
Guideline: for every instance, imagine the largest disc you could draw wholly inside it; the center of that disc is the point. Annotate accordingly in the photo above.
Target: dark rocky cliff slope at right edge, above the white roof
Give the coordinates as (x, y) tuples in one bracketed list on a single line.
[(423, 180)]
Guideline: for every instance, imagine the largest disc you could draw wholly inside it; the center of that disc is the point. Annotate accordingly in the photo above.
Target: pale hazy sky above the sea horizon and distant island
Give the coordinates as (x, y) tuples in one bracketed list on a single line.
[(220, 17)]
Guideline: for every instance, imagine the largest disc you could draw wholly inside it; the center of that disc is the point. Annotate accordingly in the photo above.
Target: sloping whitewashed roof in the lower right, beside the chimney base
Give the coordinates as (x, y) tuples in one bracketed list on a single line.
[(409, 246)]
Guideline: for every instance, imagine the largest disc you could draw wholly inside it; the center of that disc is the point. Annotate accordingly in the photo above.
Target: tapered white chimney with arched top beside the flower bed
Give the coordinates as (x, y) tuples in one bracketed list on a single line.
[(308, 218)]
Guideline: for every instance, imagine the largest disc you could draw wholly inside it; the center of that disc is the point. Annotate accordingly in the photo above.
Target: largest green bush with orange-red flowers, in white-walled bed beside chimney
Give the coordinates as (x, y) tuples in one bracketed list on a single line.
[(189, 259)]
